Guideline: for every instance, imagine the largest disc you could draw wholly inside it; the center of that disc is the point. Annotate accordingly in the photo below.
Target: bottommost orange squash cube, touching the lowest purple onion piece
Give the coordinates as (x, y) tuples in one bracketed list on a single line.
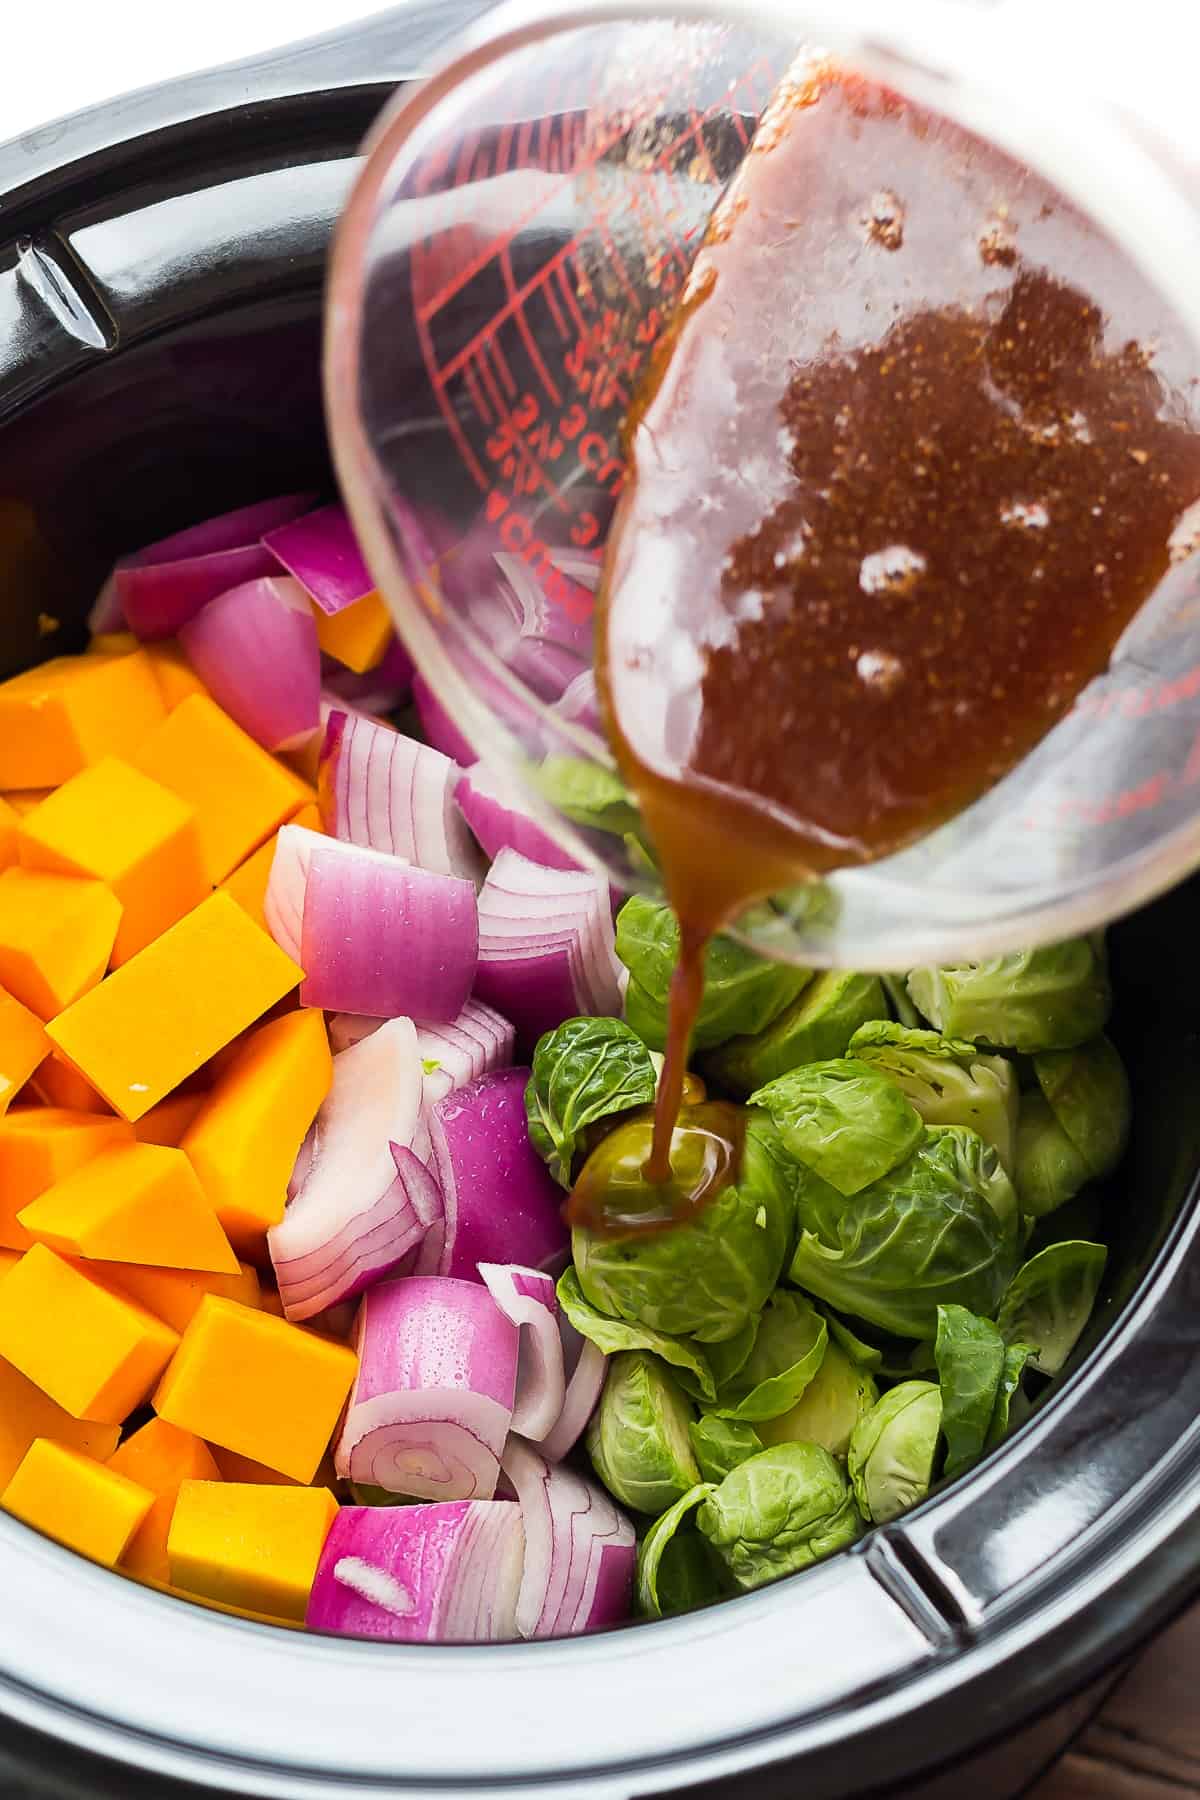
[(251, 1547)]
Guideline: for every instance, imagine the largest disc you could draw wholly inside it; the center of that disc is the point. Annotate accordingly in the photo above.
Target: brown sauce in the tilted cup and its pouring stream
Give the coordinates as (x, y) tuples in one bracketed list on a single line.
[(908, 463)]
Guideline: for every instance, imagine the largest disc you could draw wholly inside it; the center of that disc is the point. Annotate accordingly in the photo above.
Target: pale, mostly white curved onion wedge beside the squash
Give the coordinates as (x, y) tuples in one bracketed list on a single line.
[(352, 1218)]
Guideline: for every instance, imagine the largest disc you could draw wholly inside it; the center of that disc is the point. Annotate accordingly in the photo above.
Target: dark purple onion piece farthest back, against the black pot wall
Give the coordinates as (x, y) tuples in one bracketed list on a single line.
[(166, 584)]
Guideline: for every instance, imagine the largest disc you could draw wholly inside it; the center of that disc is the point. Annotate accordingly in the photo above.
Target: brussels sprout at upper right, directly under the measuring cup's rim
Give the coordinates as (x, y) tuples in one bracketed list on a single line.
[(1034, 1000)]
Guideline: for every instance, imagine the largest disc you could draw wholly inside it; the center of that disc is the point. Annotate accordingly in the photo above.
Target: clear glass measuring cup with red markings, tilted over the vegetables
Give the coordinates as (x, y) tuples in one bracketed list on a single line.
[(512, 253)]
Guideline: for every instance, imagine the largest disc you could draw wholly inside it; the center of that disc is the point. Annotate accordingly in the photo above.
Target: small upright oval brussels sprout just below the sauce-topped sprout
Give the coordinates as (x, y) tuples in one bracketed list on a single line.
[(638, 1435)]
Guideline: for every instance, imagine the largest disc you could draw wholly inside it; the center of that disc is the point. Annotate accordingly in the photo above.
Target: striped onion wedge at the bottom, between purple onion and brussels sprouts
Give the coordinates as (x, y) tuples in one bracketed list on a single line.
[(580, 1551)]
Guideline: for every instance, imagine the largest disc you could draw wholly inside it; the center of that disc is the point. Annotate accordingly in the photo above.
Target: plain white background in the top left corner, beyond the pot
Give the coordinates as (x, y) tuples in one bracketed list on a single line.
[(62, 55)]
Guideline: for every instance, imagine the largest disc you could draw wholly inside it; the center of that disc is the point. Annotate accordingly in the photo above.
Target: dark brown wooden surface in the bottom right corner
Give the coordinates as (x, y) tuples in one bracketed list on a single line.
[(1145, 1743)]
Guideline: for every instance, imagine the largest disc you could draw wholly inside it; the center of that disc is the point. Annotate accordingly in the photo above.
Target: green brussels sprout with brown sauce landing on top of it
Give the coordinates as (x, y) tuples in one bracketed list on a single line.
[(710, 1275)]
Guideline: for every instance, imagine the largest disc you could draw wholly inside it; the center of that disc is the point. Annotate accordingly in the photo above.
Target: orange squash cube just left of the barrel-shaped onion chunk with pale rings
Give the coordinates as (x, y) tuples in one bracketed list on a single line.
[(256, 1385)]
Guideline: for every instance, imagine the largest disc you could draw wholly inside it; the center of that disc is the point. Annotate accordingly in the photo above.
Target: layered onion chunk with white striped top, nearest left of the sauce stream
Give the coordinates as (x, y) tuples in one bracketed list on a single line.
[(546, 946)]
